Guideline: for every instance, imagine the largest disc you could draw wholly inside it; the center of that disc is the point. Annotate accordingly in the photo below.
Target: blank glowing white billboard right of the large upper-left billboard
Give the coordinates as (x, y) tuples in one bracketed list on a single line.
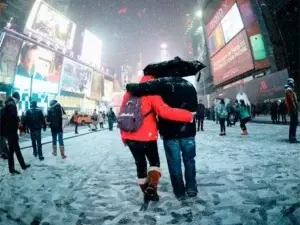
[(91, 49)]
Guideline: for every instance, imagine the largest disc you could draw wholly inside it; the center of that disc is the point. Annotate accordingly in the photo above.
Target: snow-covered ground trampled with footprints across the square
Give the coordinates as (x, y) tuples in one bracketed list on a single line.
[(241, 180)]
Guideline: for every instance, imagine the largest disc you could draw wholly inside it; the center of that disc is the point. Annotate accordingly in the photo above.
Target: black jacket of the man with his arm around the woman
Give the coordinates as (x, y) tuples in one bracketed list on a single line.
[(177, 93)]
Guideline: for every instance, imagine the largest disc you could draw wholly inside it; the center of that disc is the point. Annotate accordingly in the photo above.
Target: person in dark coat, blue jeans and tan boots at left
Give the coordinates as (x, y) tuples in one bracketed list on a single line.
[(55, 118)]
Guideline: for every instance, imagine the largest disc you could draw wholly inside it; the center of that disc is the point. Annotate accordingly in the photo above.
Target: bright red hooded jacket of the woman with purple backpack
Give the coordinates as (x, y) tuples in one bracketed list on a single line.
[(149, 130)]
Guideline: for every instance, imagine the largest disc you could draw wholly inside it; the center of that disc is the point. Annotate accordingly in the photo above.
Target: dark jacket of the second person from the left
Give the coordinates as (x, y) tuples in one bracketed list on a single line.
[(34, 119)]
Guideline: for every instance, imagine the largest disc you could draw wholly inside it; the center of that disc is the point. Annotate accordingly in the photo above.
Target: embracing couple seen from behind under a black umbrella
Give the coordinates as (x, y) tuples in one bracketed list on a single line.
[(164, 93)]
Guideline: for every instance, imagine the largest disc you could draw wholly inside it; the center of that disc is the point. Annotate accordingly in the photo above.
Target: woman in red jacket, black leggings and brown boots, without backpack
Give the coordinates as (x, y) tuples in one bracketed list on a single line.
[(143, 142)]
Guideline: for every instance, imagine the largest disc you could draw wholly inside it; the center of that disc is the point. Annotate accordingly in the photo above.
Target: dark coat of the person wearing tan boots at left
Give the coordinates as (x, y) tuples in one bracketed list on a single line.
[(54, 117)]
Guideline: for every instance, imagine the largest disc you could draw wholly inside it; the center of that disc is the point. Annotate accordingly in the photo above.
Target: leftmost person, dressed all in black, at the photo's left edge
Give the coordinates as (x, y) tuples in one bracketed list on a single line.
[(9, 127)]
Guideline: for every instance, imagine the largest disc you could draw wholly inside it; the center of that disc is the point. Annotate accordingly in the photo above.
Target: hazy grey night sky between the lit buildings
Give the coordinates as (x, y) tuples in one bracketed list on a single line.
[(140, 27)]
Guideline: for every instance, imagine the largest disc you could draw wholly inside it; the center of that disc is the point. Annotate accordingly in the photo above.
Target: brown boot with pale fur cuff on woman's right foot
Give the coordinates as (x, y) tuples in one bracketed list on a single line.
[(154, 175)]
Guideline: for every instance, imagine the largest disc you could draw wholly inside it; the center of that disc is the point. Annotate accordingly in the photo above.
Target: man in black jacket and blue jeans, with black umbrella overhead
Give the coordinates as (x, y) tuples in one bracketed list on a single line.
[(178, 138)]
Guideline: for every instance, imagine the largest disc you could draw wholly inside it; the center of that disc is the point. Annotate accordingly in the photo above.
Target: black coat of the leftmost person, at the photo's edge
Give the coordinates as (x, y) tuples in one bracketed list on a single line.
[(9, 118)]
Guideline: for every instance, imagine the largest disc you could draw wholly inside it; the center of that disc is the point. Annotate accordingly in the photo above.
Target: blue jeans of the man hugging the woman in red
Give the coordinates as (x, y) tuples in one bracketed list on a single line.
[(174, 149)]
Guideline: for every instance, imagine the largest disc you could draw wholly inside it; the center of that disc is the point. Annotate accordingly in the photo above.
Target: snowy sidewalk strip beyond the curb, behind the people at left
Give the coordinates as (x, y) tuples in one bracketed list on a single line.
[(67, 135)]
